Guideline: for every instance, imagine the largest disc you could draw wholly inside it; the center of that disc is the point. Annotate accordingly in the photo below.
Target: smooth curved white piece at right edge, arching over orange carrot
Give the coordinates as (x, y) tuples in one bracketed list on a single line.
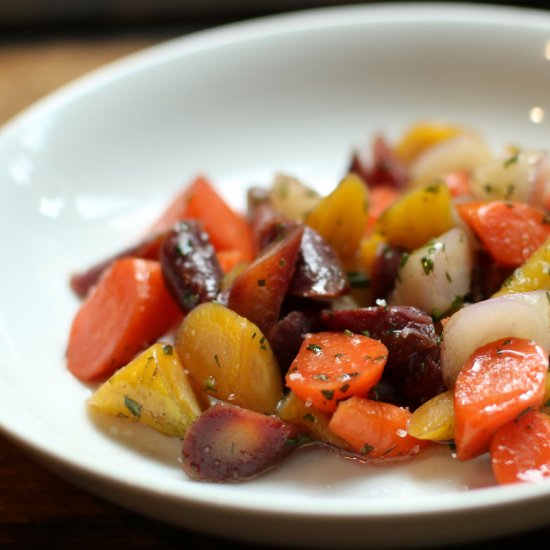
[(521, 315)]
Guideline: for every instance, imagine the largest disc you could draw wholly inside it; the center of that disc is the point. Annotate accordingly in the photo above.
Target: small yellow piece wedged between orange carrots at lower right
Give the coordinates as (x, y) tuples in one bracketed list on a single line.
[(435, 419)]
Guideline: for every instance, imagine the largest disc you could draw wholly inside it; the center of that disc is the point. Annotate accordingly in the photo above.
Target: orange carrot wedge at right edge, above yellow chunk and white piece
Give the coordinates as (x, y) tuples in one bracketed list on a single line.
[(510, 231)]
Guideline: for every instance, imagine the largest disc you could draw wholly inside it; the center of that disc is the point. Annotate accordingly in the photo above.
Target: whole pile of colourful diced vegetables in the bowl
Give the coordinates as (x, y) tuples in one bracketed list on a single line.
[(407, 308)]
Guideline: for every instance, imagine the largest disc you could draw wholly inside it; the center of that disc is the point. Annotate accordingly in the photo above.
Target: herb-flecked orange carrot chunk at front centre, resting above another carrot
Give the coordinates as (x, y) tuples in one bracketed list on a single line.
[(332, 366)]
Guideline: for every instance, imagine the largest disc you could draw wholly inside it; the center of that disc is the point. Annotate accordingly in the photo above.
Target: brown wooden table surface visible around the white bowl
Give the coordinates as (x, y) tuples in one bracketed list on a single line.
[(36, 506)]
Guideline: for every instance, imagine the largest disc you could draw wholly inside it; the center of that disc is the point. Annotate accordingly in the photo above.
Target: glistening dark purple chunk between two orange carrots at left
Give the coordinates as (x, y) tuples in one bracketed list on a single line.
[(189, 265)]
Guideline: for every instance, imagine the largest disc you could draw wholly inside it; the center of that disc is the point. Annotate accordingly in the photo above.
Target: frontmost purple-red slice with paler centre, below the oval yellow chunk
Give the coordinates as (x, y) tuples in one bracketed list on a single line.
[(228, 444)]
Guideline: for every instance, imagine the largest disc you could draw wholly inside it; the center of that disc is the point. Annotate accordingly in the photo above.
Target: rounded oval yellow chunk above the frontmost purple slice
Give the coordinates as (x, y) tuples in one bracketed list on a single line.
[(229, 357)]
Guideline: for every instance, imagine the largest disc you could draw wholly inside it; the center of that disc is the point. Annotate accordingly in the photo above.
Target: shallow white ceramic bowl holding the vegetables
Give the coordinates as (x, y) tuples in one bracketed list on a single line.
[(86, 170)]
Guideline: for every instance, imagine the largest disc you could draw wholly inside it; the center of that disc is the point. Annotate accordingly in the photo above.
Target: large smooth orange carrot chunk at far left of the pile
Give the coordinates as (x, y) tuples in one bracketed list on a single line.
[(127, 310)]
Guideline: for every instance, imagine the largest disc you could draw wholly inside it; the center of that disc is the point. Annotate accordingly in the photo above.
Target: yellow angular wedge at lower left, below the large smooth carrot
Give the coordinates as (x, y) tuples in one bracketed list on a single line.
[(153, 389)]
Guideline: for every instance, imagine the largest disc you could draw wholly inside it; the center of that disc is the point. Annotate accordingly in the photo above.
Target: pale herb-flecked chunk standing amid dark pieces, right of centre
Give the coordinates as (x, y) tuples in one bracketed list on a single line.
[(436, 276)]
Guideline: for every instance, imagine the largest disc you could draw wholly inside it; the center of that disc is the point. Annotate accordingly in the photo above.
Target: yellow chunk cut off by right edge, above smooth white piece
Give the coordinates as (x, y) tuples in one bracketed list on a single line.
[(533, 274)]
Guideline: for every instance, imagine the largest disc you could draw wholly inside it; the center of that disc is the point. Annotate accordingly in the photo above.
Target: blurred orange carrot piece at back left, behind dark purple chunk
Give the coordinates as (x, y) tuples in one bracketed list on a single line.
[(228, 230)]
